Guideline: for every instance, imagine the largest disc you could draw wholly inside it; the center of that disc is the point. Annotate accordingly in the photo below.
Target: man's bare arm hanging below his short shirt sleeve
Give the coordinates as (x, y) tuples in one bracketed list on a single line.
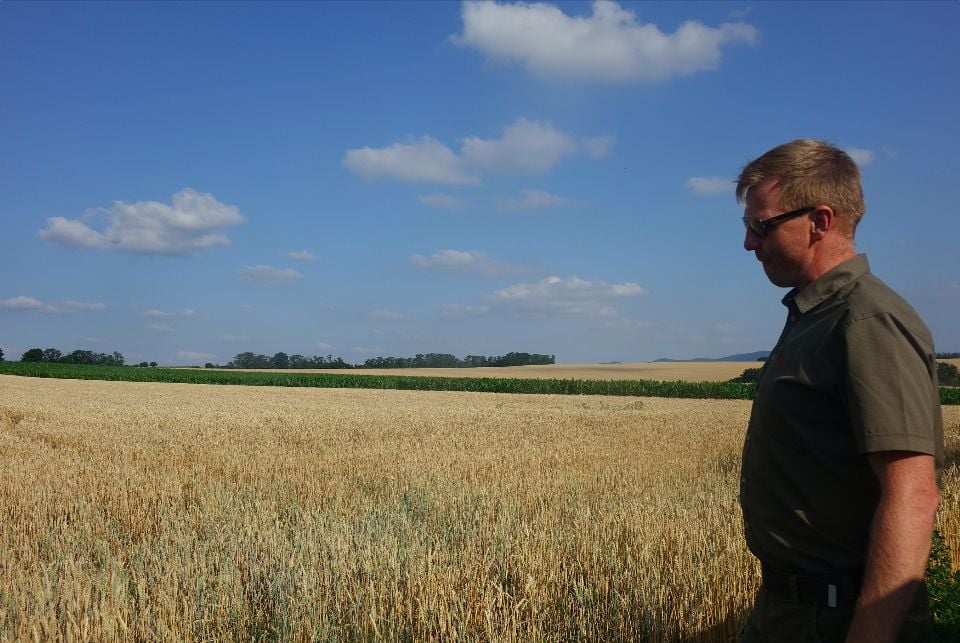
[(899, 543)]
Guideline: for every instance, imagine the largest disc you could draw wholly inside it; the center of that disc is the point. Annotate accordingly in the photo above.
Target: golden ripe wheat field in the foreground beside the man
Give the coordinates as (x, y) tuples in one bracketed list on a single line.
[(172, 512)]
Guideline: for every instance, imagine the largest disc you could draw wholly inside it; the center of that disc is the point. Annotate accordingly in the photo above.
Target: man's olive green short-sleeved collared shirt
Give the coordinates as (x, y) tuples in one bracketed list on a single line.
[(854, 372)]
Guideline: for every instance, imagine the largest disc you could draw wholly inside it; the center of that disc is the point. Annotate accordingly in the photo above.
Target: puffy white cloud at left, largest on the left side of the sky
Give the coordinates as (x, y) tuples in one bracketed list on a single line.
[(194, 221)]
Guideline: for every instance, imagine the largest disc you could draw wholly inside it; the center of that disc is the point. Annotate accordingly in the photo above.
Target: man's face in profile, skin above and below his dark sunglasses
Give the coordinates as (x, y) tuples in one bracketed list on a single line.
[(785, 250)]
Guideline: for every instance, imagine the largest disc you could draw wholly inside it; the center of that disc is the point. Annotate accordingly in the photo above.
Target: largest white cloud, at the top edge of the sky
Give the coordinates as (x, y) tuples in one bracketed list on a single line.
[(609, 46)]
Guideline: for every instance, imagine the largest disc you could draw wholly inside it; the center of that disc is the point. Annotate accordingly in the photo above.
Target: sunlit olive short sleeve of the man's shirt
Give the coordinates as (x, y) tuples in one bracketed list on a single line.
[(892, 392)]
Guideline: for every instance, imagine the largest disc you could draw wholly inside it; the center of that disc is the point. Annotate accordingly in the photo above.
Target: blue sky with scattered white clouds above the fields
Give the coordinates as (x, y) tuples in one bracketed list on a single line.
[(182, 182)]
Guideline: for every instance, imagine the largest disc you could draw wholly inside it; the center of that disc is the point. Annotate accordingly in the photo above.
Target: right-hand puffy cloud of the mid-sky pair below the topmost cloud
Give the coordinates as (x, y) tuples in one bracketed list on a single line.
[(526, 147)]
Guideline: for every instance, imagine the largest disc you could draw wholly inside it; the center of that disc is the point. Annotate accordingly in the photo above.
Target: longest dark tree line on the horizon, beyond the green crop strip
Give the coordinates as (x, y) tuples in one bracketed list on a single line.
[(421, 360)]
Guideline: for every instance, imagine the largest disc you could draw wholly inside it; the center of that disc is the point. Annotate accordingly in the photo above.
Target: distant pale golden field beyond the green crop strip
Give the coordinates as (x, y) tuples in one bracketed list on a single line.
[(661, 371)]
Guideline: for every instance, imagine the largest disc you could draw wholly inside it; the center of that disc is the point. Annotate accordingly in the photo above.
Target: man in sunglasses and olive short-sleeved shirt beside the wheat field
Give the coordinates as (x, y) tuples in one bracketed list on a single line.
[(845, 442)]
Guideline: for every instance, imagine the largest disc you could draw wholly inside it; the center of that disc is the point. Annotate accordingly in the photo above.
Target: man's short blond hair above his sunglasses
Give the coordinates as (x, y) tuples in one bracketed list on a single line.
[(810, 172)]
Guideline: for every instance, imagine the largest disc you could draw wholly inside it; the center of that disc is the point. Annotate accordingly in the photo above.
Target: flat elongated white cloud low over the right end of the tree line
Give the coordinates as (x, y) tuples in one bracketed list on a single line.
[(570, 297)]
